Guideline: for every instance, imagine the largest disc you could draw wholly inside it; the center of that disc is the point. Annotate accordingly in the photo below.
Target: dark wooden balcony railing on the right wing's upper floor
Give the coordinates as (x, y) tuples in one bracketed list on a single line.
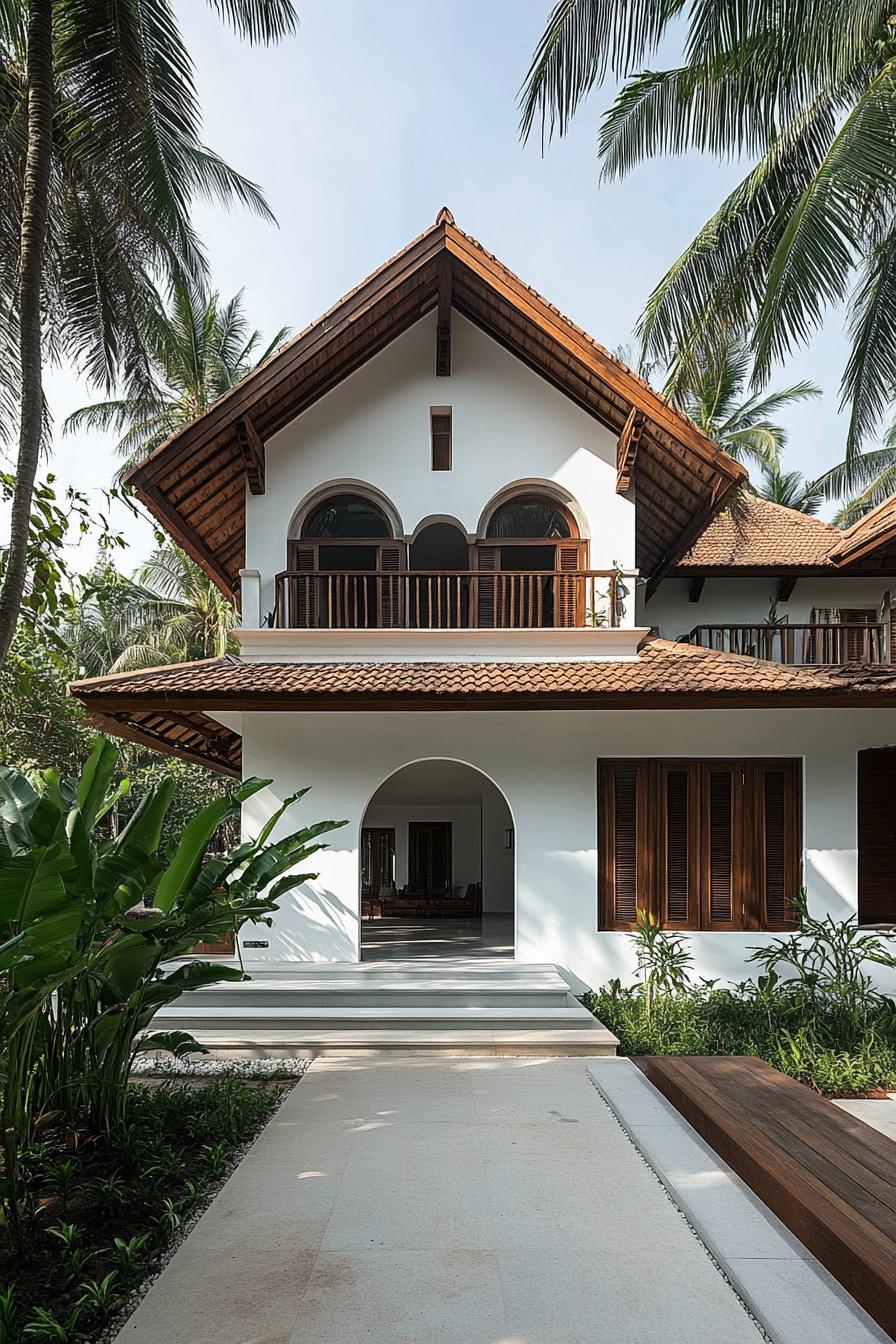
[(800, 646)]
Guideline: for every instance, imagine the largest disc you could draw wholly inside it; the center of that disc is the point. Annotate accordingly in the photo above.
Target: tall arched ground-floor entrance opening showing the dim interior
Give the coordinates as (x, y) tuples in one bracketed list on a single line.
[(439, 866)]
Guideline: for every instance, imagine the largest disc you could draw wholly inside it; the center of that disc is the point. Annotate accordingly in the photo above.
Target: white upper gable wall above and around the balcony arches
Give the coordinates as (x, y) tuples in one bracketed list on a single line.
[(508, 425)]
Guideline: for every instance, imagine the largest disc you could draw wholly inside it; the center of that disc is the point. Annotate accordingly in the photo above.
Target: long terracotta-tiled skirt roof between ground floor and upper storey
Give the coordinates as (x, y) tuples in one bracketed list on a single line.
[(170, 708)]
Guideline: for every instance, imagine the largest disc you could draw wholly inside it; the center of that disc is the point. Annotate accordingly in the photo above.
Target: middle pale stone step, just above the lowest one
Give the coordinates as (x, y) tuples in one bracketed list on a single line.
[(183, 1017)]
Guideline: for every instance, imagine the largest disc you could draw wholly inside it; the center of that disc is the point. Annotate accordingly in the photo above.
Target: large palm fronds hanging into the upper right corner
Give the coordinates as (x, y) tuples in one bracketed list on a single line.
[(808, 92)]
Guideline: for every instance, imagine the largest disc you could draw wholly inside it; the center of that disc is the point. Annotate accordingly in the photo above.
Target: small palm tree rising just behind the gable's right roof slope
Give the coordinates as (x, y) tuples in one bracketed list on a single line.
[(713, 394)]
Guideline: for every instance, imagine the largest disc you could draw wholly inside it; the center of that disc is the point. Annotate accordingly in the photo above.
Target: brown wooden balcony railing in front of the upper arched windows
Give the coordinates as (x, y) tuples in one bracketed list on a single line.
[(448, 601)]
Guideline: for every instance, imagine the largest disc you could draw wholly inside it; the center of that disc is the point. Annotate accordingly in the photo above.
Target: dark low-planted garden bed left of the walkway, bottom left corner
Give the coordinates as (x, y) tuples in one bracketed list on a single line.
[(101, 1216)]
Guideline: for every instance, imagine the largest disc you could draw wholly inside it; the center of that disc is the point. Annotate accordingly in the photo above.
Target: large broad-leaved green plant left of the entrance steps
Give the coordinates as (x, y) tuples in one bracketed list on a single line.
[(89, 925)]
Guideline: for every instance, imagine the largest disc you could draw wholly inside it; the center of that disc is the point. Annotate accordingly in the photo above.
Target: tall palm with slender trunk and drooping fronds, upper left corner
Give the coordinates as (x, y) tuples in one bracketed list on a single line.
[(100, 162)]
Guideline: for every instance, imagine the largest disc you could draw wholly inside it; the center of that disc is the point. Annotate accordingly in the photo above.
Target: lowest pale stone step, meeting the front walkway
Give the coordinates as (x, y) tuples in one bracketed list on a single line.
[(311, 1045)]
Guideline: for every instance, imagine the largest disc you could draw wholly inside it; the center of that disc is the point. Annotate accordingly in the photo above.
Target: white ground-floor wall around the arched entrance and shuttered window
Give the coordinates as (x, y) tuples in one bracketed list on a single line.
[(546, 765)]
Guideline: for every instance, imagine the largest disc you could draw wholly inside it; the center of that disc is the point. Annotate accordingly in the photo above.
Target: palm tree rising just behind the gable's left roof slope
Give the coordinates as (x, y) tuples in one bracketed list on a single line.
[(198, 350)]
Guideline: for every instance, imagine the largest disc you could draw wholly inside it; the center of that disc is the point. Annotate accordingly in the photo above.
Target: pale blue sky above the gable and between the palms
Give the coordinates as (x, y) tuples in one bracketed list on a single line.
[(373, 118)]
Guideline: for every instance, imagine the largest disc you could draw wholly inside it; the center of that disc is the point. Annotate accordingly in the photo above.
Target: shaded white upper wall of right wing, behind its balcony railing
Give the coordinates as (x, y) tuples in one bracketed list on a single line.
[(729, 601)]
